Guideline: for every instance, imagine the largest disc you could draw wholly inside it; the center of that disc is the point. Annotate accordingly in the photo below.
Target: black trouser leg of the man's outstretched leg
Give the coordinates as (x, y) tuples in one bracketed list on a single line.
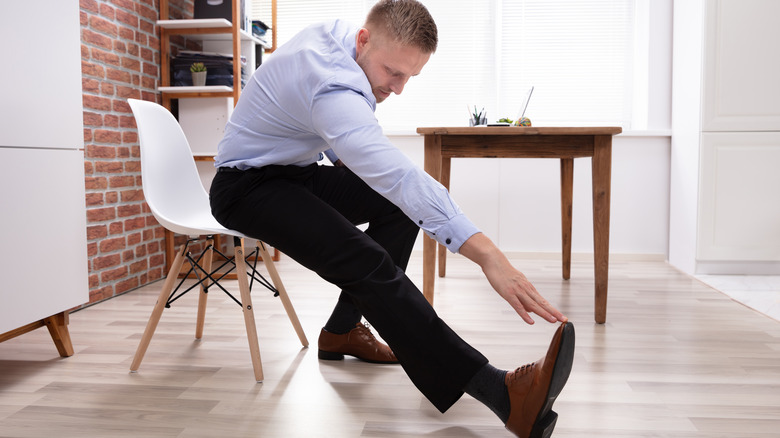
[(277, 206)]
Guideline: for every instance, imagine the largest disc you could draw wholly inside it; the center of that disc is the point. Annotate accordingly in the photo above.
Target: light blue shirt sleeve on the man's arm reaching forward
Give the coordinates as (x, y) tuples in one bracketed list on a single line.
[(345, 119)]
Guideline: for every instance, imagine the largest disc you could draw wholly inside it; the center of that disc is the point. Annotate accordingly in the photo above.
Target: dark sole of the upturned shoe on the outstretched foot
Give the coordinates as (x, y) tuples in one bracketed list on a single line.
[(545, 421)]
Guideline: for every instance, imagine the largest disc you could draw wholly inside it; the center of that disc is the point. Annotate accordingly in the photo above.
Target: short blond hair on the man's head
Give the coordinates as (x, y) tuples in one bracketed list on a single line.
[(406, 22)]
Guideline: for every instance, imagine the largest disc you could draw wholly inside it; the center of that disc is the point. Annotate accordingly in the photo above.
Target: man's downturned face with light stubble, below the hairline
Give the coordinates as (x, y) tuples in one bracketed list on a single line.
[(387, 65)]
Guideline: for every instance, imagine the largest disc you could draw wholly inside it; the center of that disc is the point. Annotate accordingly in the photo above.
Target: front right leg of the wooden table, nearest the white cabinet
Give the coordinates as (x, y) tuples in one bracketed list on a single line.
[(602, 170)]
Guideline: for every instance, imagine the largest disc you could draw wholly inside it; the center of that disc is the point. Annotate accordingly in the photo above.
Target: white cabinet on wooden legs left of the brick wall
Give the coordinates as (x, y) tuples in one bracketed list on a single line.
[(44, 258)]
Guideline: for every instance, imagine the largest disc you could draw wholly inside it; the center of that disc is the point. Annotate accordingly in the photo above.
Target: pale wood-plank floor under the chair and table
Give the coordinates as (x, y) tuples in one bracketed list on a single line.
[(675, 359)]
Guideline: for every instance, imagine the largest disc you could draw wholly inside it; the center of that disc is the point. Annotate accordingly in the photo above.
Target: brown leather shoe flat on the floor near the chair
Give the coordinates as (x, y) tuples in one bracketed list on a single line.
[(358, 342)]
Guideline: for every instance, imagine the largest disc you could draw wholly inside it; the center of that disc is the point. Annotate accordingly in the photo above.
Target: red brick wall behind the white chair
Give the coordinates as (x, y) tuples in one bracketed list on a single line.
[(120, 52)]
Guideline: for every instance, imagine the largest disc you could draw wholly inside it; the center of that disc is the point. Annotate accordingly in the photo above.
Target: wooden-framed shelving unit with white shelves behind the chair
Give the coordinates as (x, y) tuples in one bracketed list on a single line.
[(216, 35)]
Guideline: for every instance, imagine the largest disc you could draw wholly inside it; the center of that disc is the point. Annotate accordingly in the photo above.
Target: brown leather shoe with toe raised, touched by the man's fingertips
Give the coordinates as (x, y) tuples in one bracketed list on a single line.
[(534, 387)]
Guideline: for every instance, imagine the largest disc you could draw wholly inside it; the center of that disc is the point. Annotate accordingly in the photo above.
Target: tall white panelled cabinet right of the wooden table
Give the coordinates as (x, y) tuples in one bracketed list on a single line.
[(725, 207)]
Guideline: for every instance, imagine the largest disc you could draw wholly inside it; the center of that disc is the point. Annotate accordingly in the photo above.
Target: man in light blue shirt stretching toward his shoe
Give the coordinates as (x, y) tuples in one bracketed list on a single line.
[(315, 94)]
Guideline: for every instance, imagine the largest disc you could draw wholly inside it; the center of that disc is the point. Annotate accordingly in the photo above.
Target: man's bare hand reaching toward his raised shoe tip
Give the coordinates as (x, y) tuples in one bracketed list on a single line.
[(510, 283)]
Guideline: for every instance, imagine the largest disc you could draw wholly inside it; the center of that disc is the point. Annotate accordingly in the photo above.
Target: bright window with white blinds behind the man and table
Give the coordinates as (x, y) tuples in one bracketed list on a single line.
[(578, 54)]
